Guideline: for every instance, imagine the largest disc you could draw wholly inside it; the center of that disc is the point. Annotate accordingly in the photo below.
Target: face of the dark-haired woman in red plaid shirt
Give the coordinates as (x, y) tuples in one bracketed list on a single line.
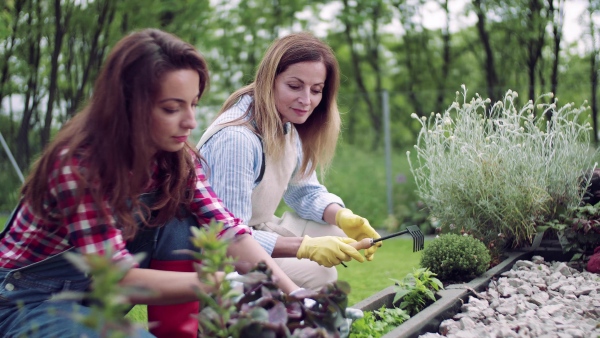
[(173, 115)]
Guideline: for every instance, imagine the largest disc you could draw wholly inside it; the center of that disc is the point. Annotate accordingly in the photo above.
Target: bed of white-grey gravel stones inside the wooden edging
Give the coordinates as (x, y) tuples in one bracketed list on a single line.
[(534, 299)]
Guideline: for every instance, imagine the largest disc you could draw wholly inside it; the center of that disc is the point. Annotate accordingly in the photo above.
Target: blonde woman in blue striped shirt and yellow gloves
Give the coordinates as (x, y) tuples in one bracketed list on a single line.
[(265, 145)]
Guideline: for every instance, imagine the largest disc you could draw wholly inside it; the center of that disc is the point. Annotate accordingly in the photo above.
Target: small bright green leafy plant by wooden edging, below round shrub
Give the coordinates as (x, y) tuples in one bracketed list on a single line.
[(416, 290)]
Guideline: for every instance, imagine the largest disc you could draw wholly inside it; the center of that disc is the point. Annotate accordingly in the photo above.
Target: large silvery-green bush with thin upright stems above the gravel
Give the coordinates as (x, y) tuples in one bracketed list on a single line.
[(496, 171)]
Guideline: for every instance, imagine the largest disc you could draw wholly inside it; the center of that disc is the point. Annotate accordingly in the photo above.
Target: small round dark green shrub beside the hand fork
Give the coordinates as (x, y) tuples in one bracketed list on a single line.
[(456, 257)]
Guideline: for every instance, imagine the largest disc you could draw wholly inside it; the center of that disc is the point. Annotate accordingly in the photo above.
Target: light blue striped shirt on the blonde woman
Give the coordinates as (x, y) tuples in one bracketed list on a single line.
[(234, 156)]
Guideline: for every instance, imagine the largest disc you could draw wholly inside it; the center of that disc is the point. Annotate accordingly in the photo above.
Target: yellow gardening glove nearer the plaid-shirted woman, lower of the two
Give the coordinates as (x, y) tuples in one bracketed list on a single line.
[(328, 250)]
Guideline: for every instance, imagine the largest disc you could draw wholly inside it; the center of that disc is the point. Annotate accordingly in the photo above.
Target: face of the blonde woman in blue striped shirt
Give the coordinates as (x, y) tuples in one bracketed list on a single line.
[(298, 90)]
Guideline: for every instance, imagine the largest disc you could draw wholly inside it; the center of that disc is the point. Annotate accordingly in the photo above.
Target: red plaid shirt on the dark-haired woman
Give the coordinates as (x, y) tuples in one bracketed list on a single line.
[(30, 239)]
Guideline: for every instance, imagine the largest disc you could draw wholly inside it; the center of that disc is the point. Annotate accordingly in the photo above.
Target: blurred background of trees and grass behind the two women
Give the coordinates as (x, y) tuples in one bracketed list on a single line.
[(397, 58)]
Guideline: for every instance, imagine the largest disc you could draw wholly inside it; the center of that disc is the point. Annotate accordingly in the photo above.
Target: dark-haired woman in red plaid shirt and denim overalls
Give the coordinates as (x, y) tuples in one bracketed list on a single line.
[(120, 177)]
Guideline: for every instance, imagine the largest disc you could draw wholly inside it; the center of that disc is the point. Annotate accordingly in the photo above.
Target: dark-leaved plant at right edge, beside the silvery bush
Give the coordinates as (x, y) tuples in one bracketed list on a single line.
[(578, 231)]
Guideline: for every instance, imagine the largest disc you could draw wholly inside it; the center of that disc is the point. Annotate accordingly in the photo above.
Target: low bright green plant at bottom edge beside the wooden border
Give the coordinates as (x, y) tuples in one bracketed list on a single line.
[(376, 323)]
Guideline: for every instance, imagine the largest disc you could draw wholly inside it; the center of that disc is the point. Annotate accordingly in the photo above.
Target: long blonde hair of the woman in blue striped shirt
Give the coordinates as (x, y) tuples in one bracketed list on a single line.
[(320, 132)]
